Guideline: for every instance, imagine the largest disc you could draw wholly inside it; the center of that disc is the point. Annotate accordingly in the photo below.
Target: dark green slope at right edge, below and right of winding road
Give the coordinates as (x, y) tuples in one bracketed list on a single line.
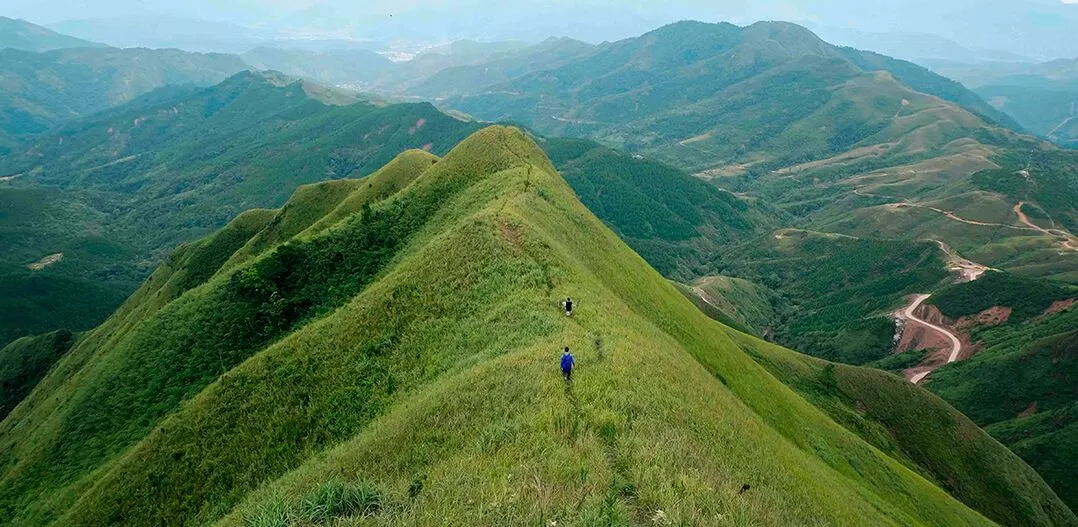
[(1020, 385)]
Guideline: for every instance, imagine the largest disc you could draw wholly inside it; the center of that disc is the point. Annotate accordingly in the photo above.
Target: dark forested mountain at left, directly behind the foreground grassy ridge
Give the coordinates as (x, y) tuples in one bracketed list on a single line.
[(116, 192)]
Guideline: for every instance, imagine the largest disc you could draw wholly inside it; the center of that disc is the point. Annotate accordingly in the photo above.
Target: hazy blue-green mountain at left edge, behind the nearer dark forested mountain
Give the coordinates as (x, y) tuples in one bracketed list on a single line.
[(42, 90)]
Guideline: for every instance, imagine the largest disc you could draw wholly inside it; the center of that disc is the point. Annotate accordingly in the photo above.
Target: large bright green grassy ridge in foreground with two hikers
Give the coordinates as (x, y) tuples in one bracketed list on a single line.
[(398, 367)]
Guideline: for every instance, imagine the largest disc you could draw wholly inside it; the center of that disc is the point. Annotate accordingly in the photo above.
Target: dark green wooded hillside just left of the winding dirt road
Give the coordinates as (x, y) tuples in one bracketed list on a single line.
[(837, 292)]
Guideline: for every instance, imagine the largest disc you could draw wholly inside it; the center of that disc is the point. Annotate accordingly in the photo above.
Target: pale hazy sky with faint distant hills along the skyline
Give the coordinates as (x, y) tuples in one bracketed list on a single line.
[(982, 30)]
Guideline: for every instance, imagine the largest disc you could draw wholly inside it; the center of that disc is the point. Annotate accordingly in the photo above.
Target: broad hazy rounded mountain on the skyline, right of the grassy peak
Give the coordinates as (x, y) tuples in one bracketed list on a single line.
[(708, 95)]
